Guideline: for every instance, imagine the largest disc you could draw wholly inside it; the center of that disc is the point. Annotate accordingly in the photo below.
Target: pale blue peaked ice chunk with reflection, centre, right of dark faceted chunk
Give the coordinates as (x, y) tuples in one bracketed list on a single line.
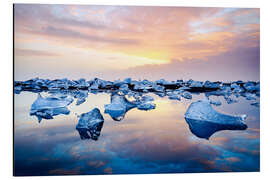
[(119, 107)]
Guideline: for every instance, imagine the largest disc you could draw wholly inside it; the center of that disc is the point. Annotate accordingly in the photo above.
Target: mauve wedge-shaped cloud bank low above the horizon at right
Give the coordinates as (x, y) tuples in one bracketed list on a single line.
[(241, 63)]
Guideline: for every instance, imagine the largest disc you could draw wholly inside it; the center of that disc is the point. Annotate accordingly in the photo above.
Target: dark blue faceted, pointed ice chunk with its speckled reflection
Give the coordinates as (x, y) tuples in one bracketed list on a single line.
[(91, 122)]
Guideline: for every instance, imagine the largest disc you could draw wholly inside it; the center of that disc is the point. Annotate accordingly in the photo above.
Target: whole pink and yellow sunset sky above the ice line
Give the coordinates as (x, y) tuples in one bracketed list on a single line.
[(115, 42)]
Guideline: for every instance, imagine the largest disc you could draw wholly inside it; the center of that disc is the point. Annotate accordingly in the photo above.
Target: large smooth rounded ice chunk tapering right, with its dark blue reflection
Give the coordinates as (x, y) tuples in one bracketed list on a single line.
[(204, 121)]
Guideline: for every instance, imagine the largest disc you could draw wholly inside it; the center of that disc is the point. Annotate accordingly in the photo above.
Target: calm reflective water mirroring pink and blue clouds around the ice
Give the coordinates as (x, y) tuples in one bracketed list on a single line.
[(154, 141)]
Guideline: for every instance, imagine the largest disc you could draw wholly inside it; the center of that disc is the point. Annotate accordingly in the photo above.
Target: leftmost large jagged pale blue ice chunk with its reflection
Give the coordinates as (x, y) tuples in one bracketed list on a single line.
[(51, 106)]
